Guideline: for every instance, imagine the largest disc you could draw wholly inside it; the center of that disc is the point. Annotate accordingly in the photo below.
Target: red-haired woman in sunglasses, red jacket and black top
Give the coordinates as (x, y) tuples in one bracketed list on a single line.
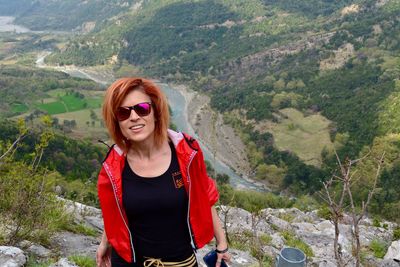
[(155, 195)]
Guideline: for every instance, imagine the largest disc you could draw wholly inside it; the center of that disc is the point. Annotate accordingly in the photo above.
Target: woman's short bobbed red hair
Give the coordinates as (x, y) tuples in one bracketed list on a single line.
[(117, 92)]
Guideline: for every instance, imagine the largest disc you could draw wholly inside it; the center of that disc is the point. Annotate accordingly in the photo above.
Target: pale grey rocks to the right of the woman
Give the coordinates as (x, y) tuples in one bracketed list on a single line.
[(316, 232)]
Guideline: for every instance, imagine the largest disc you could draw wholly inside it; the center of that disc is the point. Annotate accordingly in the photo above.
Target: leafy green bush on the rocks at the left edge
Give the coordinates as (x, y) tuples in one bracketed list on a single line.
[(28, 204)]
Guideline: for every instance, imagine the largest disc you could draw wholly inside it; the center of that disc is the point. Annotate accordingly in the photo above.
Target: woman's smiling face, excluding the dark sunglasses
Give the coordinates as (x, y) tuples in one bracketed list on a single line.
[(138, 129)]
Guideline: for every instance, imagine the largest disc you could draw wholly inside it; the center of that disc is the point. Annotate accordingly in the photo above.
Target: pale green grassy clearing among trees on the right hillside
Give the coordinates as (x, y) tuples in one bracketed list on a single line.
[(305, 136)]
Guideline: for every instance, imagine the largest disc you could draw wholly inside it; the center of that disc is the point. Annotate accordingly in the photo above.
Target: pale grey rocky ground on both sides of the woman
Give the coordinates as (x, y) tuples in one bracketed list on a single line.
[(315, 232)]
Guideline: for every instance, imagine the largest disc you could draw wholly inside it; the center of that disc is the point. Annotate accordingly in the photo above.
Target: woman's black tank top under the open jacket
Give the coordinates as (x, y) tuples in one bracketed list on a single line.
[(157, 209)]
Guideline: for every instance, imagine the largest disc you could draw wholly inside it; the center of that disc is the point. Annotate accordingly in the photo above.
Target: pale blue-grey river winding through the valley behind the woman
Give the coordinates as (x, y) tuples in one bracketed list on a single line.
[(178, 105)]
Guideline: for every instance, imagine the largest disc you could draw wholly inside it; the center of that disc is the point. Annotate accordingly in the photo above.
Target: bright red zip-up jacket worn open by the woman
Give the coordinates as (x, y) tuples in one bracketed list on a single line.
[(201, 190)]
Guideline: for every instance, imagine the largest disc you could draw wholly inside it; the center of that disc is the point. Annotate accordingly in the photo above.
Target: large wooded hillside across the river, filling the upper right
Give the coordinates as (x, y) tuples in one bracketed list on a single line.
[(335, 63)]
